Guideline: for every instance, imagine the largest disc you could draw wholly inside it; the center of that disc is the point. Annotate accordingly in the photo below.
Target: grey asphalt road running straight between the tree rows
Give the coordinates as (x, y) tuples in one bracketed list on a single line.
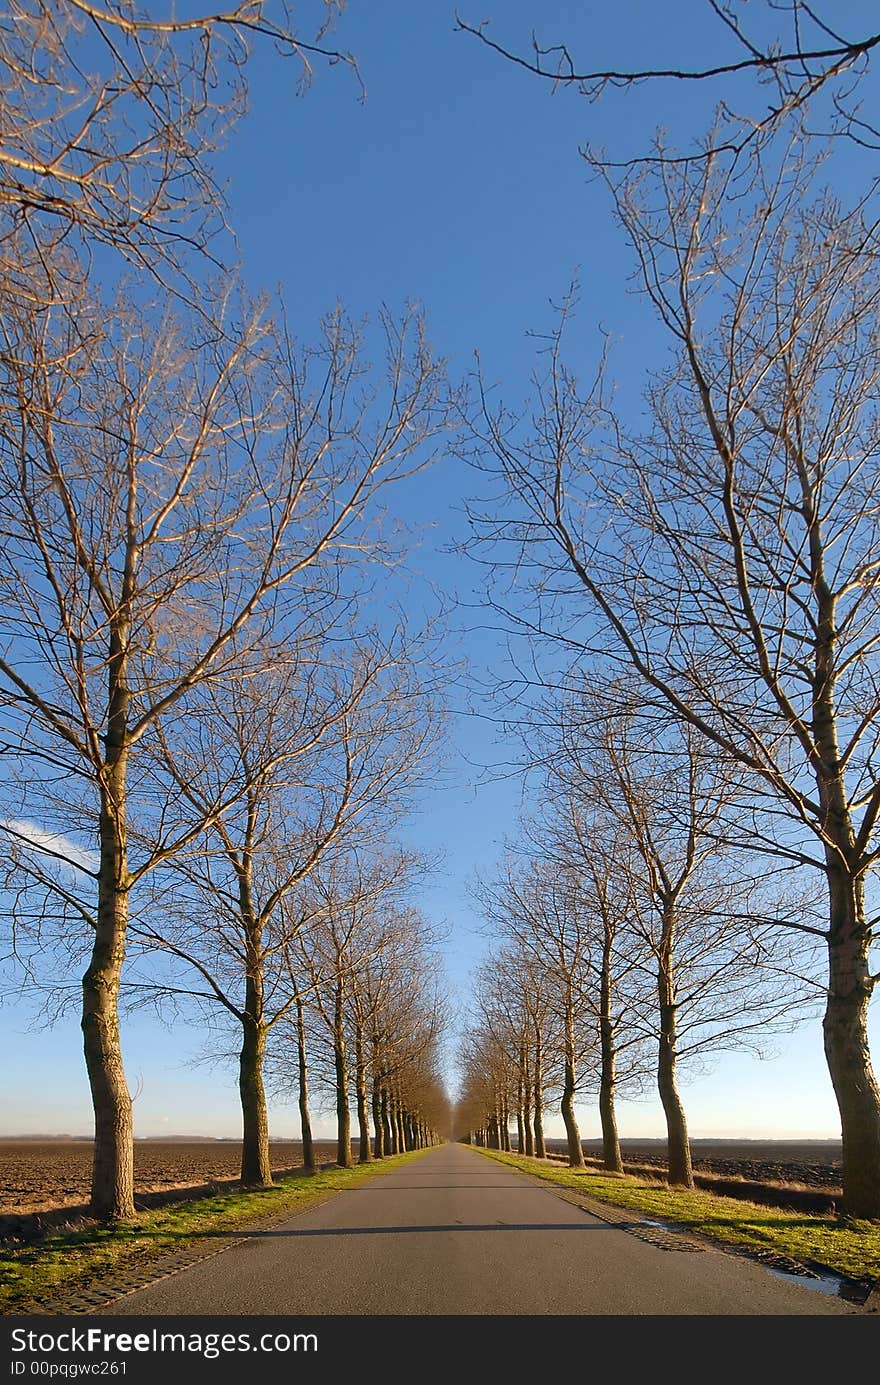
[(458, 1233)]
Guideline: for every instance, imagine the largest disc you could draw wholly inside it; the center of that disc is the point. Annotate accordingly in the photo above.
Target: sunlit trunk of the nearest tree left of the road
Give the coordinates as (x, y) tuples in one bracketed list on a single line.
[(113, 1170)]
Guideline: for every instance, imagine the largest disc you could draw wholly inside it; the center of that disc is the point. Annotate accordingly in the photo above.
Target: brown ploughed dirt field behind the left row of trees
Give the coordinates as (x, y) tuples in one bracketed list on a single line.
[(41, 1175)]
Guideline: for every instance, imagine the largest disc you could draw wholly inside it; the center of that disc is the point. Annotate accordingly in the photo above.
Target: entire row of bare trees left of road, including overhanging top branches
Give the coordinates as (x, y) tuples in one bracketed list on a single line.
[(202, 703)]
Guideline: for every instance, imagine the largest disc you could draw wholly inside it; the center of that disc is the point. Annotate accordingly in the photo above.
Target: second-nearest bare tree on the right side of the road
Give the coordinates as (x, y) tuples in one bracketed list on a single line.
[(687, 897)]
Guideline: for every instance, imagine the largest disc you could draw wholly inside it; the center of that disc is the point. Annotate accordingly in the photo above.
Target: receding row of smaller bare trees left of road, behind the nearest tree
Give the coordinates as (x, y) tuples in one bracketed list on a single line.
[(333, 990)]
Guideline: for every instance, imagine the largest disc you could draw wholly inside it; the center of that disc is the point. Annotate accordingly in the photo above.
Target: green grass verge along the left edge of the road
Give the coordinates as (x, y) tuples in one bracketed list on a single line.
[(76, 1258)]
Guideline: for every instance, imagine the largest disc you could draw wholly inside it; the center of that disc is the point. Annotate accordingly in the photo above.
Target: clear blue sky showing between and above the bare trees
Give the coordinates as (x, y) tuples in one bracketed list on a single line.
[(458, 185)]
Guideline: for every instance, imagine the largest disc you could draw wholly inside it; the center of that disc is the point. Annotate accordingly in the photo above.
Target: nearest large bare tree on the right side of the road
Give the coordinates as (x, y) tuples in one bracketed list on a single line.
[(732, 557)]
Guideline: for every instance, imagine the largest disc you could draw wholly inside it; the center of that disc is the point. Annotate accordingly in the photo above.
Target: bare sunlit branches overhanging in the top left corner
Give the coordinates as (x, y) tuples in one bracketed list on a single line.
[(109, 123)]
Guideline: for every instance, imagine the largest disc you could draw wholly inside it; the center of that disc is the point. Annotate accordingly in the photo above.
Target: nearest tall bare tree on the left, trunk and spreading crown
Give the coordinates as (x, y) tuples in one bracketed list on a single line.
[(170, 491)]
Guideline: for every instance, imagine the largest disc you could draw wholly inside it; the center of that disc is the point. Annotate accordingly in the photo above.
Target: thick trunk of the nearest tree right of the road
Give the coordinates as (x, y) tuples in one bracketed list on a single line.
[(846, 1044)]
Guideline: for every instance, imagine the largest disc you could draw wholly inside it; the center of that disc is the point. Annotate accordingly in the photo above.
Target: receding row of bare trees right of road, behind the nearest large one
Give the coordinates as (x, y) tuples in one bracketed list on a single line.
[(628, 934)]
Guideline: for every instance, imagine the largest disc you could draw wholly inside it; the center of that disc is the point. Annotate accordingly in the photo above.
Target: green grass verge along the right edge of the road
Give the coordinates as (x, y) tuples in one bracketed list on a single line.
[(850, 1249)]
